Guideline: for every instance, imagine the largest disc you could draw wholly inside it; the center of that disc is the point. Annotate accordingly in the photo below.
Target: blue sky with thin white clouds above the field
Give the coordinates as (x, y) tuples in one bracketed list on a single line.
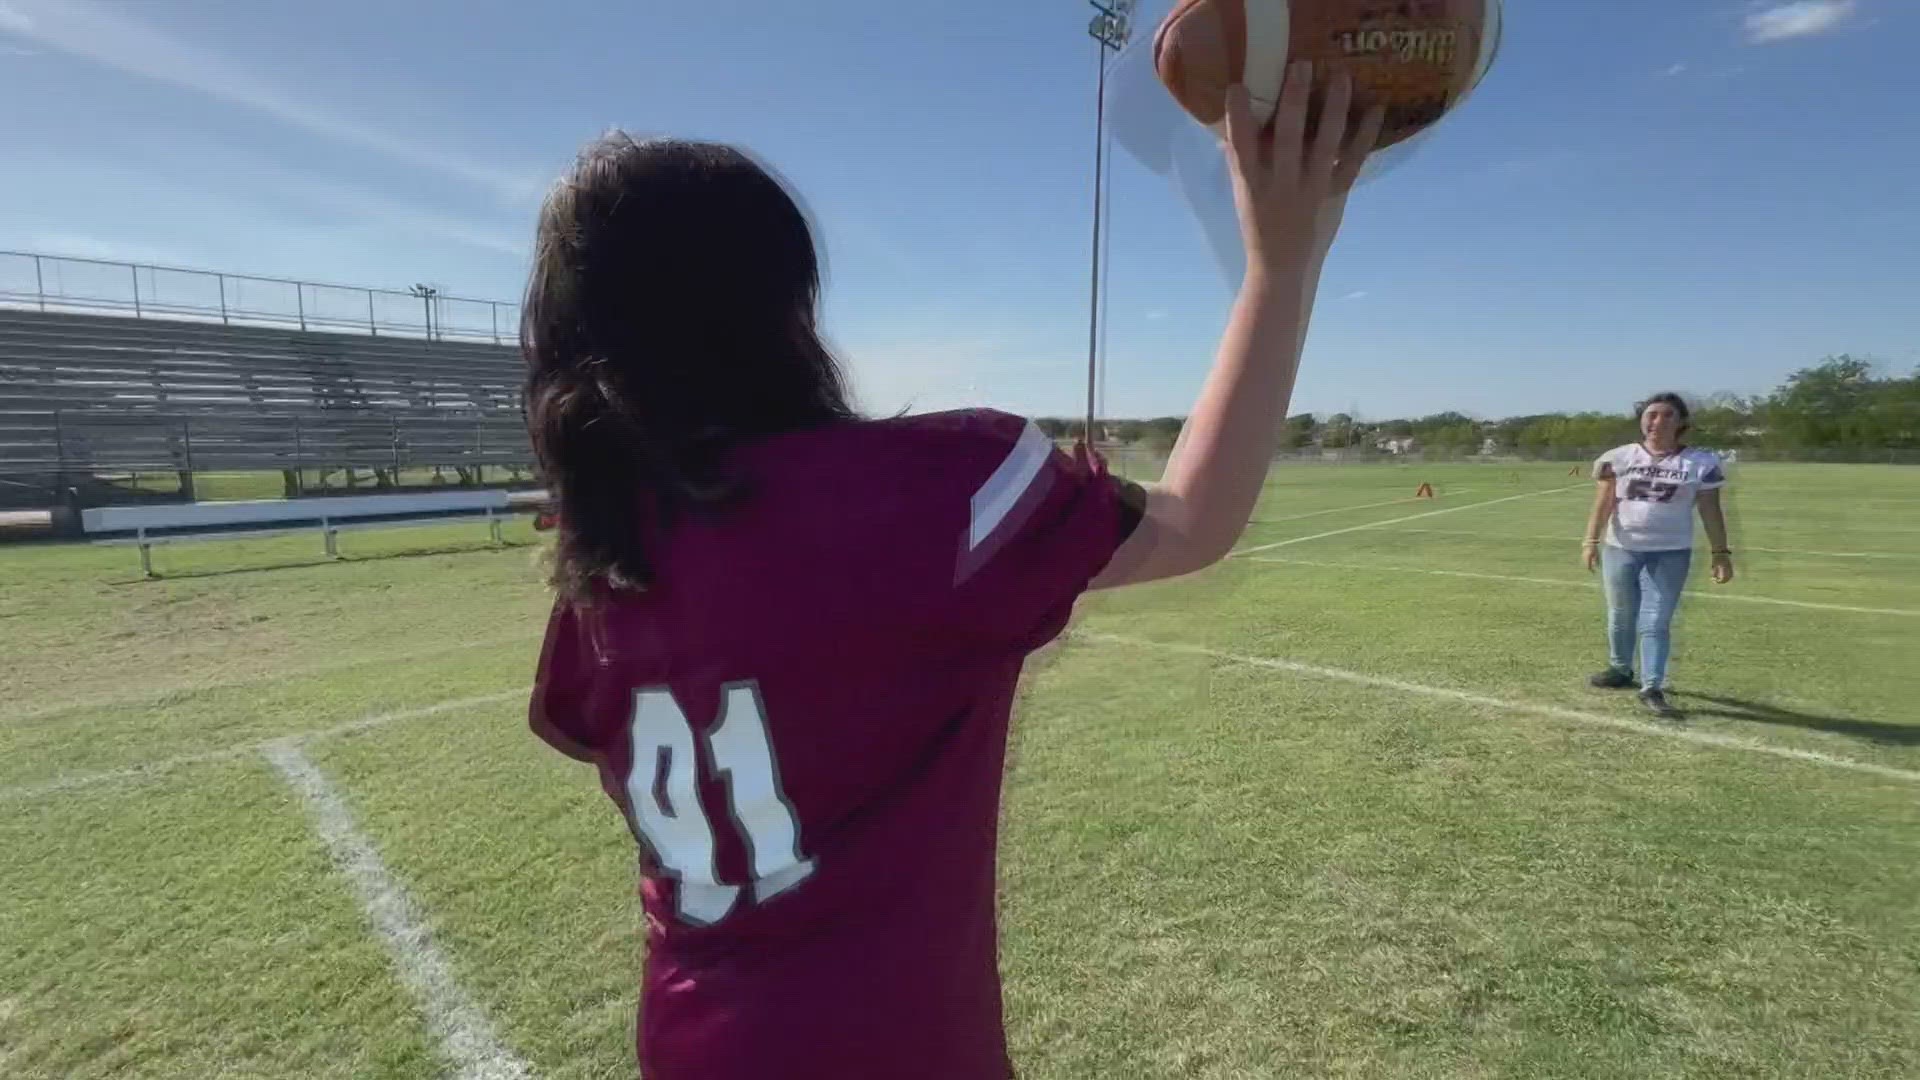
[(1698, 195)]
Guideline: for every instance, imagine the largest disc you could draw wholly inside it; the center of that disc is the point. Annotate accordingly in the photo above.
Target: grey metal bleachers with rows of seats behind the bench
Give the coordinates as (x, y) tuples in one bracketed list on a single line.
[(89, 395)]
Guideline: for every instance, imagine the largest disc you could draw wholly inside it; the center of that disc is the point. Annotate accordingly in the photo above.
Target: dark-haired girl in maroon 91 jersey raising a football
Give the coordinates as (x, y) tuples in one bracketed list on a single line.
[(788, 637)]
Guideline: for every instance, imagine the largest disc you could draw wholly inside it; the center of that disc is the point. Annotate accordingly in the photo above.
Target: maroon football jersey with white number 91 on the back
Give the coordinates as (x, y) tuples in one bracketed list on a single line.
[(805, 725)]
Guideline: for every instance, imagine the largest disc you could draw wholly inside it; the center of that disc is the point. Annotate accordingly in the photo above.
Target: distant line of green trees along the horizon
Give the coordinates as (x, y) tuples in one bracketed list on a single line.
[(1838, 406)]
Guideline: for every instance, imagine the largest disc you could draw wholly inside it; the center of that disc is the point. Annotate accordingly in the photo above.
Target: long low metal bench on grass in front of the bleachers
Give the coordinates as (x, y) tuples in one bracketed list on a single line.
[(149, 526)]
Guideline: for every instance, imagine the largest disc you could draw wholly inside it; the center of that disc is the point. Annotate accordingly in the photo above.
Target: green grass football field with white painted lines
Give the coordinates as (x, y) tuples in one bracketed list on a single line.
[(1341, 808)]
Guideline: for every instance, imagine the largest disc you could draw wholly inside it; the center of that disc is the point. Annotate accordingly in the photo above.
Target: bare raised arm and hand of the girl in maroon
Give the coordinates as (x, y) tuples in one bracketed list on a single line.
[(1291, 197)]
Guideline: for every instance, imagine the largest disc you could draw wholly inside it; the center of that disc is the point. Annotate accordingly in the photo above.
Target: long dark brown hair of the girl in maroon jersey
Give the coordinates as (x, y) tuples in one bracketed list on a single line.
[(673, 316)]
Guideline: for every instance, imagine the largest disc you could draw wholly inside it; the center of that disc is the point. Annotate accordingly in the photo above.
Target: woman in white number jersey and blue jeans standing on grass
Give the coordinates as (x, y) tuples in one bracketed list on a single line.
[(1644, 503)]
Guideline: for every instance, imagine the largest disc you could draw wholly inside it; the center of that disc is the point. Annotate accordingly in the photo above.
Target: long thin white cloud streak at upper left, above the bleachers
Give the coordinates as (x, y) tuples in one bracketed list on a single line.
[(85, 30)]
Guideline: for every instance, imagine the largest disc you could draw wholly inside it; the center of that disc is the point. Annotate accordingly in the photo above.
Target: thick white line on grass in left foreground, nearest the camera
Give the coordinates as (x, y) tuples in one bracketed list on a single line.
[(462, 1029)]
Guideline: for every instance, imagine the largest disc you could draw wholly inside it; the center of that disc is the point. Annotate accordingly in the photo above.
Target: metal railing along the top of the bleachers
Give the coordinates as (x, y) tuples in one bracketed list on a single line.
[(66, 283)]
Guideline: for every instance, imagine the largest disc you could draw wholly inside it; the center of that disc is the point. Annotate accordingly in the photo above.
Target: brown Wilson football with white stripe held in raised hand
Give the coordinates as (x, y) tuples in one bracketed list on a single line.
[(1416, 57)]
